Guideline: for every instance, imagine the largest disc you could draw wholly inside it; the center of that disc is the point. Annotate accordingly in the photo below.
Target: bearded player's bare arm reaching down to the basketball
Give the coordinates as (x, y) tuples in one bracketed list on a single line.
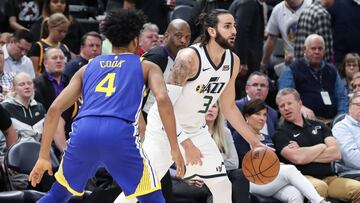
[(232, 112)]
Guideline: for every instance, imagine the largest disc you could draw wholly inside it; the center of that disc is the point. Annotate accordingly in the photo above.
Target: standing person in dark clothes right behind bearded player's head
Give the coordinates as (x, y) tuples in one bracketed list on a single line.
[(249, 38)]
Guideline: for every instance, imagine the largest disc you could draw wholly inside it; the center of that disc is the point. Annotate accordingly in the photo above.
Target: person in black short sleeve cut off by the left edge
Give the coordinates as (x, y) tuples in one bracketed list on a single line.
[(8, 135)]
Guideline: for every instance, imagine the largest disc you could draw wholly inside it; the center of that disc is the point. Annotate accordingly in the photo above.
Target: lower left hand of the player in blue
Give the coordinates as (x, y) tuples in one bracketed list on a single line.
[(40, 167)]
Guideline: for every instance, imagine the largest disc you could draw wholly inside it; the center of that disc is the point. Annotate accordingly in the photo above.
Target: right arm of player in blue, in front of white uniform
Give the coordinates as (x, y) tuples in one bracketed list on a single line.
[(157, 86)]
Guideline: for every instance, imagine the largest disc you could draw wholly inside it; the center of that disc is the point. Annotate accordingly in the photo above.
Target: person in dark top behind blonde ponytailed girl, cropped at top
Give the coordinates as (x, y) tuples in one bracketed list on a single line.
[(75, 30)]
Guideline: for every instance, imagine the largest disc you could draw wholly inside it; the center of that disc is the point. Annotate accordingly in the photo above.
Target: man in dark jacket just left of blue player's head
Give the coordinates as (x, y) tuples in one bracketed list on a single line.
[(90, 48)]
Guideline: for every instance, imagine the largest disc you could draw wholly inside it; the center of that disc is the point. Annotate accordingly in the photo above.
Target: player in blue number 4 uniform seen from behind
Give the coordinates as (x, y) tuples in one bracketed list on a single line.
[(104, 133)]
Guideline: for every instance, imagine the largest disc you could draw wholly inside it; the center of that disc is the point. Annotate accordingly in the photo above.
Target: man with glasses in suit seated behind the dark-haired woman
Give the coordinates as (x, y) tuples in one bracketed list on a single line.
[(257, 87)]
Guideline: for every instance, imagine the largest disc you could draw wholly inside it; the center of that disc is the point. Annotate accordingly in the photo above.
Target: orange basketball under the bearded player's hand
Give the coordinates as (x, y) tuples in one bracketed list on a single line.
[(260, 165)]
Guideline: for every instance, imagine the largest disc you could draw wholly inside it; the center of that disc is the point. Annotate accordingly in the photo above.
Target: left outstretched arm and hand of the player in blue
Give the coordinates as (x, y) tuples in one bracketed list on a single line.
[(66, 98)]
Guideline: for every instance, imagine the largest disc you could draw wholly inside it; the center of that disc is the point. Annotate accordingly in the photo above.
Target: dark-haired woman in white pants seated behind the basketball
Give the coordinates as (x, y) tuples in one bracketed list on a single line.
[(290, 185)]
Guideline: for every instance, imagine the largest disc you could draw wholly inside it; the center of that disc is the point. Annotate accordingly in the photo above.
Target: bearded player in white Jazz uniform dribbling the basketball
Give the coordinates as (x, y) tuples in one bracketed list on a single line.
[(202, 74)]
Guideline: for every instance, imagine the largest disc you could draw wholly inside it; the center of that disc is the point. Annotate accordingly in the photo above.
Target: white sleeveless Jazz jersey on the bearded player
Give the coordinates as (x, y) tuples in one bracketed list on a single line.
[(202, 91)]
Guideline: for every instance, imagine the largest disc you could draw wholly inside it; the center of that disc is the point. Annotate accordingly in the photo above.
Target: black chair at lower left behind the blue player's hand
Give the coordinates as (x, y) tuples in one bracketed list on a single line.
[(21, 158)]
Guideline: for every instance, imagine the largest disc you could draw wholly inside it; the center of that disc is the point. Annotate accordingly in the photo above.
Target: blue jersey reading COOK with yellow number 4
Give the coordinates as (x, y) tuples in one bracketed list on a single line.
[(113, 86)]
